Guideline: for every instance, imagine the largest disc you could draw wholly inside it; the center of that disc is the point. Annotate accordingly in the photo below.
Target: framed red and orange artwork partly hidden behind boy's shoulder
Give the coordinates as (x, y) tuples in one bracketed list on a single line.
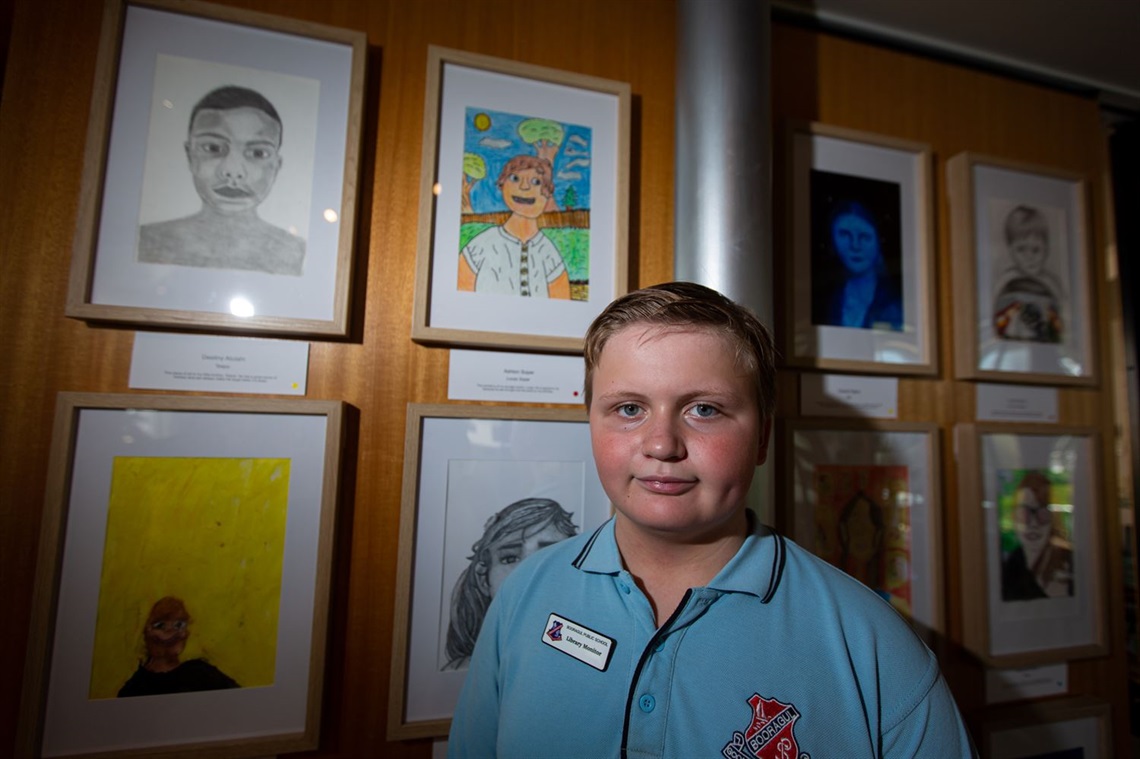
[(865, 496)]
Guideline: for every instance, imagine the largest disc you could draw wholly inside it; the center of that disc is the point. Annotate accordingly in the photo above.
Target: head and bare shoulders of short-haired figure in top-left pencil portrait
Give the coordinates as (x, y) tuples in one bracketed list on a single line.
[(233, 150)]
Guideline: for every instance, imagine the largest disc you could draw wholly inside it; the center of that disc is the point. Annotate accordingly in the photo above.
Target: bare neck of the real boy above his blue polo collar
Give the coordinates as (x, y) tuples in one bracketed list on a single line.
[(665, 567)]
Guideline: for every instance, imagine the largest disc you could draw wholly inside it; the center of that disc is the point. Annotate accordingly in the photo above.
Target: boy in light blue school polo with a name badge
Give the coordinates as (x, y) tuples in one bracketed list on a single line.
[(683, 629)]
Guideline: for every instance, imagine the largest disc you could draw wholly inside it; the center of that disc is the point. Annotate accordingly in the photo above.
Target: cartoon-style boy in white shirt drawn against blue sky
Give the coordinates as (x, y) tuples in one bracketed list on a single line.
[(517, 258)]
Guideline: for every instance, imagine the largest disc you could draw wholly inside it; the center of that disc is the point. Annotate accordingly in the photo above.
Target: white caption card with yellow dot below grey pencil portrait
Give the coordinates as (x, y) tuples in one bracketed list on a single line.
[(219, 364)]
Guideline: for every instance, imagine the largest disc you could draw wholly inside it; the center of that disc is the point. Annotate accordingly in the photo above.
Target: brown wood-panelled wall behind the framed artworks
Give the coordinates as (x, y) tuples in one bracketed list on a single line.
[(379, 371)]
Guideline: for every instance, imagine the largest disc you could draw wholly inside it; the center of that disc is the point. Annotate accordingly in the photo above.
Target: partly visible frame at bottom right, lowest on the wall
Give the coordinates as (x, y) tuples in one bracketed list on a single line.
[(1064, 729)]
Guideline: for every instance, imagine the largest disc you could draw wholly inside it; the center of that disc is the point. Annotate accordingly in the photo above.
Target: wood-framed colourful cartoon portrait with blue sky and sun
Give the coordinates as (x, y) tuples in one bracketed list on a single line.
[(525, 198)]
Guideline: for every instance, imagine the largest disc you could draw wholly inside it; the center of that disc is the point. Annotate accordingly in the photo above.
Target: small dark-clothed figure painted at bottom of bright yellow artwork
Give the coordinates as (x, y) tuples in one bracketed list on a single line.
[(168, 627)]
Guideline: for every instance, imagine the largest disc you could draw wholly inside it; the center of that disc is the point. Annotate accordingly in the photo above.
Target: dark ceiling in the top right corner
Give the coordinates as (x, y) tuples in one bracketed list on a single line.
[(1088, 45)]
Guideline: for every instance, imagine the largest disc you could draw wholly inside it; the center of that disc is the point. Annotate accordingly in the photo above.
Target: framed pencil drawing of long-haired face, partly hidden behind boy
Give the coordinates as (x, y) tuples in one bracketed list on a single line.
[(484, 488)]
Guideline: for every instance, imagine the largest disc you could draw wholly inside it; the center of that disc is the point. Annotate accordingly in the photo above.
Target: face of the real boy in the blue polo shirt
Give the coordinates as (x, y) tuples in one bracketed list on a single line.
[(677, 432)]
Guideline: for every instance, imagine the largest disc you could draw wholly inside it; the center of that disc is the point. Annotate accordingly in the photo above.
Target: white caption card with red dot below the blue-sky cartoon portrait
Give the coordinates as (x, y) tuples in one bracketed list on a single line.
[(522, 378)]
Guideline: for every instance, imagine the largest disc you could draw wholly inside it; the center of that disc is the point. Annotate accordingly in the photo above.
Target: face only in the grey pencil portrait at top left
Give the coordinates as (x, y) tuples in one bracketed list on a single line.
[(233, 157)]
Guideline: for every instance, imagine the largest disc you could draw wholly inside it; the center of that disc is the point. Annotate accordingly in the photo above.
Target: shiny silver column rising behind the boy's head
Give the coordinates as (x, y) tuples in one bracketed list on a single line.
[(723, 192)]
